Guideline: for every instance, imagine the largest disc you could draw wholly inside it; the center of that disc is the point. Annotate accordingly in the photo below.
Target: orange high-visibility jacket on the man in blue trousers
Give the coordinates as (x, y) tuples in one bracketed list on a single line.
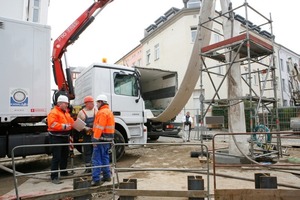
[(104, 124)]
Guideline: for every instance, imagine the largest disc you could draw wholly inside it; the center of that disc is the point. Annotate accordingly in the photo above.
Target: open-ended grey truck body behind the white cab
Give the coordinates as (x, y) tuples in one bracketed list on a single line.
[(158, 87)]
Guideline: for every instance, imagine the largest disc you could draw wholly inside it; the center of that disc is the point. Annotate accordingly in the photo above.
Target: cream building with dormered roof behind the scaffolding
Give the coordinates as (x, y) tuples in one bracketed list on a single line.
[(168, 43)]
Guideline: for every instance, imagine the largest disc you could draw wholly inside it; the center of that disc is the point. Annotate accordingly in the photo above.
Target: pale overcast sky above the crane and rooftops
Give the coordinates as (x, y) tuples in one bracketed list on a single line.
[(120, 26)]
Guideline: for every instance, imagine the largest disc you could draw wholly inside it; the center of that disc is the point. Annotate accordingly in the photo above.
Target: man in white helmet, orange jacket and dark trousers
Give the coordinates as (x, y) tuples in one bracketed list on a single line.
[(59, 126)]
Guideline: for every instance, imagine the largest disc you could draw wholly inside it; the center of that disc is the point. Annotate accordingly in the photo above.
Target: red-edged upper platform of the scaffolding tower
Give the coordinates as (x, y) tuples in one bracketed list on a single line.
[(259, 46)]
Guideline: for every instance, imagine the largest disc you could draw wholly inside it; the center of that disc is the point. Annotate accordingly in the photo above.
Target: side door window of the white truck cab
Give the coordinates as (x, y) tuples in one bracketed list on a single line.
[(125, 84)]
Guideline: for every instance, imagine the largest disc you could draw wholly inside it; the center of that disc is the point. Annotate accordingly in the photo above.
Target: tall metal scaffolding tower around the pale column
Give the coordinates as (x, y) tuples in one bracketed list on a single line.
[(254, 47)]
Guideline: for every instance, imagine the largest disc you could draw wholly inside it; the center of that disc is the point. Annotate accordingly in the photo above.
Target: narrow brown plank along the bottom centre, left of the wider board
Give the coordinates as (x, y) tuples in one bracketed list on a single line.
[(161, 193)]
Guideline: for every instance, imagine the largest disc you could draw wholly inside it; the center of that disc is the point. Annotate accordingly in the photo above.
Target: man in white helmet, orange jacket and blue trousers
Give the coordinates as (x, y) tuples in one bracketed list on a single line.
[(104, 129)]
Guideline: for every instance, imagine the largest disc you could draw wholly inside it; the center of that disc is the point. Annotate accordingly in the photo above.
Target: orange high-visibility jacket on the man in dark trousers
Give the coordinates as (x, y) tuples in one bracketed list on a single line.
[(58, 120)]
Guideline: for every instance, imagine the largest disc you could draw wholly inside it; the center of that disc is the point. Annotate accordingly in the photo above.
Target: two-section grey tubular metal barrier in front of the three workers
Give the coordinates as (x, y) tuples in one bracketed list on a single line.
[(114, 169)]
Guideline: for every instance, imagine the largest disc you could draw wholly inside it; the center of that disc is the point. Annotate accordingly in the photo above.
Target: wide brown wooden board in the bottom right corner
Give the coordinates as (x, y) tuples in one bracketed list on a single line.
[(255, 194)]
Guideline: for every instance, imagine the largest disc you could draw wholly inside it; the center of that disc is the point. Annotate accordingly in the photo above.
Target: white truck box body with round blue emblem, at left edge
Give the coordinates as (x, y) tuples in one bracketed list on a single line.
[(25, 85)]
